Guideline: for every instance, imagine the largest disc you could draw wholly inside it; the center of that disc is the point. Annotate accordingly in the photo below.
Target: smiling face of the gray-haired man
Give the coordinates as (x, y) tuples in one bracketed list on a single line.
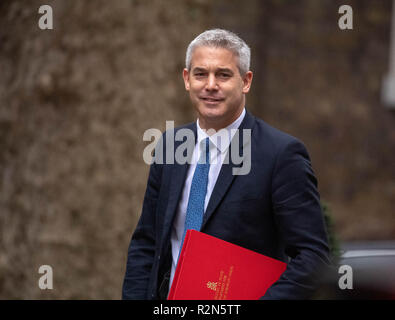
[(216, 87)]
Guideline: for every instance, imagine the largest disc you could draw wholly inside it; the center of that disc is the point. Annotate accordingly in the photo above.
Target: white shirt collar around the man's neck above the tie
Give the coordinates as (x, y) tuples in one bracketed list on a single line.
[(223, 137)]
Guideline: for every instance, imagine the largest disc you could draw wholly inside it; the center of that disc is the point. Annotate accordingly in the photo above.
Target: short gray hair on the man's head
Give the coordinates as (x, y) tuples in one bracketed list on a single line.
[(220, 38)]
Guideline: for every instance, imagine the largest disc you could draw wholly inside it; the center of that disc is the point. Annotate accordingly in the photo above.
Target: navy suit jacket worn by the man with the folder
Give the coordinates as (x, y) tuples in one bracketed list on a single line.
[(273, 210)]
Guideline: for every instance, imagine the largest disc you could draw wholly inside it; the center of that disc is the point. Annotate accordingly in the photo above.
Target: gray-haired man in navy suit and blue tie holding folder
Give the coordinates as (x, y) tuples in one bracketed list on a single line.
[(272, 209)]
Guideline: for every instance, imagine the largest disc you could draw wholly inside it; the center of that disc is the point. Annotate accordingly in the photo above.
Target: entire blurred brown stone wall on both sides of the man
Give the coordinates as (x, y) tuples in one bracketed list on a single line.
[(75, 102)]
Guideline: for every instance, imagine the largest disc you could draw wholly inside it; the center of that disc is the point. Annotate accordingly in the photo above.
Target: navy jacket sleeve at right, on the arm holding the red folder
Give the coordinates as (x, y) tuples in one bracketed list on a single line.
[(298, 217)]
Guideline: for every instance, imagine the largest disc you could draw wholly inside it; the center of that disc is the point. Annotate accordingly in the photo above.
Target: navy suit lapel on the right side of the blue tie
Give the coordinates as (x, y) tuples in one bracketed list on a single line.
[(226, 175)]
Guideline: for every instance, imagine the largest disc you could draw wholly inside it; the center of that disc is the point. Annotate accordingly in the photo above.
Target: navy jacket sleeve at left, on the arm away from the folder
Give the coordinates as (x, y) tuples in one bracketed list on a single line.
[(142, 245)]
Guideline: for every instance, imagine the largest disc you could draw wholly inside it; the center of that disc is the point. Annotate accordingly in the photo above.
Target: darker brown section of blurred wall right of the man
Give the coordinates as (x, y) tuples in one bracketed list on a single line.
[(323, 85)]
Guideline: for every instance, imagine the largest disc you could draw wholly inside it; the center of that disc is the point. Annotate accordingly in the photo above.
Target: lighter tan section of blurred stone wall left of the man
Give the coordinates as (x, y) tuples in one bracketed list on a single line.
[(75, 102)]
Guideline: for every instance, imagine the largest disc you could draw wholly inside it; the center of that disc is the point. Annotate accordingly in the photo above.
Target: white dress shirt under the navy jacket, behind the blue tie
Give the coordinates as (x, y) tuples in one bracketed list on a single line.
[(219, 144)]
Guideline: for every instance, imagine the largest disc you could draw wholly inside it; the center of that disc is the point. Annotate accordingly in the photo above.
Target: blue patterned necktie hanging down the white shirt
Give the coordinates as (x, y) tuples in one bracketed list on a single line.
[(197, 194)]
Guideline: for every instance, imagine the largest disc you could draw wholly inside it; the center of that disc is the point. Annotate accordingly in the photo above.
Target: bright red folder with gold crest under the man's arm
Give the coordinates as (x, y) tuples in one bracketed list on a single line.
[(213, 269)]
